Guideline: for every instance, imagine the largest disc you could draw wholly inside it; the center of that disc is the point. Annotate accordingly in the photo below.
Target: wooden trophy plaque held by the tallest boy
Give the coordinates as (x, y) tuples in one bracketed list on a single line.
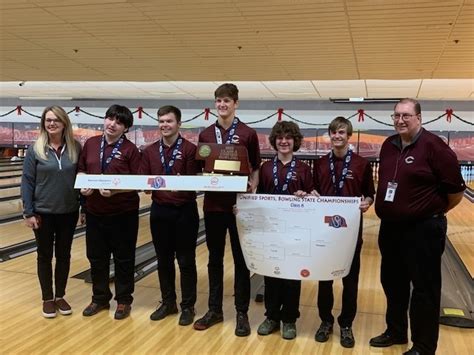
[(224, 158)]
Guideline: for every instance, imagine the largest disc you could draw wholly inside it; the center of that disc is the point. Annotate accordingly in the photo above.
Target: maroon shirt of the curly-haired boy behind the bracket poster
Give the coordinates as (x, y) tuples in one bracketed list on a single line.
[(301, 178)]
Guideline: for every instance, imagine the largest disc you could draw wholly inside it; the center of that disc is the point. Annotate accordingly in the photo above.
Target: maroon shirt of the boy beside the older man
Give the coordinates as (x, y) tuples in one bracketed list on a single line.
[(359, 179)]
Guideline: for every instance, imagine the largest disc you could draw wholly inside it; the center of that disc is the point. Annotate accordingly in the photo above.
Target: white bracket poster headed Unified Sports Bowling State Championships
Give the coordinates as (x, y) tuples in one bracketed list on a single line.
[(311, 238)]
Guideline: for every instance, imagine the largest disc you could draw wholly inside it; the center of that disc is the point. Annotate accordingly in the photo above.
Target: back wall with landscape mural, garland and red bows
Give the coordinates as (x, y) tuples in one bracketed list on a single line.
[(453, 121)]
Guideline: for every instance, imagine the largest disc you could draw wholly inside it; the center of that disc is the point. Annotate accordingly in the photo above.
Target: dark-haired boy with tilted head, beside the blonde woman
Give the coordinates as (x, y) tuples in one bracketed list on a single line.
[(112, 215)]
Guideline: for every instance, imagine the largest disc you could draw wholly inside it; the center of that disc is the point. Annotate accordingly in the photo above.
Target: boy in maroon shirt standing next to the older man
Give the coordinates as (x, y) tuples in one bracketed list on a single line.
[(342, 173)]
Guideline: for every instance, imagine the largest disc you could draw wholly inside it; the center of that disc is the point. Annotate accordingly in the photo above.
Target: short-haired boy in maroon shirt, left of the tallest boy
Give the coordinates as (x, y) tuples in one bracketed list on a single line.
[(174, 218)]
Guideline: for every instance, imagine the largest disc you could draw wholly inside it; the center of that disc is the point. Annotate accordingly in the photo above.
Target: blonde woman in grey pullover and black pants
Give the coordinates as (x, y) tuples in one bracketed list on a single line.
[(51, 205)]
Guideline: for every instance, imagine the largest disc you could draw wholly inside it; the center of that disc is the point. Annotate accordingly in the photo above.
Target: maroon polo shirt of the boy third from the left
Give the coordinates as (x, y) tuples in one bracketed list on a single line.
[(185, 164)]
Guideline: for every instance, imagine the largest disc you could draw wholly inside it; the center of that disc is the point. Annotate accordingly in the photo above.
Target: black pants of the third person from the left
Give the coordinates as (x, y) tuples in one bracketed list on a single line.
[(174, 230)]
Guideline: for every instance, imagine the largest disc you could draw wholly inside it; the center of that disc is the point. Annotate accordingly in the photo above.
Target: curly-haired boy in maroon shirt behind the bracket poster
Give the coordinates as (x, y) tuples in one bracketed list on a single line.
[(282, 175)]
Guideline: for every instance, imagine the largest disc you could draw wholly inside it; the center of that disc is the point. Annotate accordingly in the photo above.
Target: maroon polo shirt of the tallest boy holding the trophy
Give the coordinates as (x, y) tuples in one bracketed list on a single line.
[(244, 135)]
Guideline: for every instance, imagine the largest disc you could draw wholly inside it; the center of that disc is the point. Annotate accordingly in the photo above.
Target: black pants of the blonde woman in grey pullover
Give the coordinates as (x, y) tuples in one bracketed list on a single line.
[(55, 233)]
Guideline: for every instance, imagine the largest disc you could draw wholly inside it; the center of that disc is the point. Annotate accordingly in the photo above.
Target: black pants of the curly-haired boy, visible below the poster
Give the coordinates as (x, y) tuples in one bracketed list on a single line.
[(282, 299)]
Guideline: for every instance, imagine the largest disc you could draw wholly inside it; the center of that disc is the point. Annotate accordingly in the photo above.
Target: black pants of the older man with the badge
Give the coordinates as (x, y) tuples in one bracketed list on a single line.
[(411, 254)]
